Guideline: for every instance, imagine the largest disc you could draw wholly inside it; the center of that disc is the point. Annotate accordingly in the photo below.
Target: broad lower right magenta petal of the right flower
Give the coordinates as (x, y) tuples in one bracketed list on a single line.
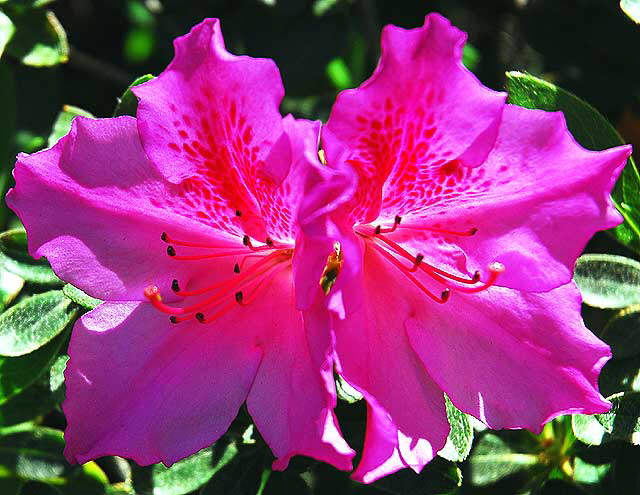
[(512, 359)]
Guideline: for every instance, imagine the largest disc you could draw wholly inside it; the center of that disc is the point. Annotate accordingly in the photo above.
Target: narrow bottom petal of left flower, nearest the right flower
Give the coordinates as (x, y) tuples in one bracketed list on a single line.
[(293, 395)]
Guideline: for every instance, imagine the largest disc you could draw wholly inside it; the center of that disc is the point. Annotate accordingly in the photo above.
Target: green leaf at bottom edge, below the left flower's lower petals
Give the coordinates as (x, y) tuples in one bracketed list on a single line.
[(184, 476)]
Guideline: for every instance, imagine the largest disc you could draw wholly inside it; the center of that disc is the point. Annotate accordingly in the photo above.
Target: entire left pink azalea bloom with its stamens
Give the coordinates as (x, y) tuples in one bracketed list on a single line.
[(184, 221)]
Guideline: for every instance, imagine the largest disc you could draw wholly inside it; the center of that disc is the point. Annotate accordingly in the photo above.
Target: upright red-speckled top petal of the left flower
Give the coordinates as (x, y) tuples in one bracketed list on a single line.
[(210, 121)]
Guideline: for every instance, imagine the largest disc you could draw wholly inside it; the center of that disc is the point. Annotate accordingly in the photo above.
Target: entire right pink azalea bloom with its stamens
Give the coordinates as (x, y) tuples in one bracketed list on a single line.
[(457, 252)]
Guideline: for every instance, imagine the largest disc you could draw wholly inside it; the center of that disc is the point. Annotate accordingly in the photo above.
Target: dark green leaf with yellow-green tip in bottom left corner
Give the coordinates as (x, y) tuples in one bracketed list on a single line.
[(36, 454)]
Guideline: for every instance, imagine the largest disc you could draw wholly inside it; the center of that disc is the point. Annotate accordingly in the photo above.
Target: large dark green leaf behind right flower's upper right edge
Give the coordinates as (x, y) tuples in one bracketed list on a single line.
[(593, 132)]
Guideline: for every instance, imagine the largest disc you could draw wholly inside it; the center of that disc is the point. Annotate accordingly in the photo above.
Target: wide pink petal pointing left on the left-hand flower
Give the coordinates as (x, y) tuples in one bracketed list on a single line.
[(96, 208)]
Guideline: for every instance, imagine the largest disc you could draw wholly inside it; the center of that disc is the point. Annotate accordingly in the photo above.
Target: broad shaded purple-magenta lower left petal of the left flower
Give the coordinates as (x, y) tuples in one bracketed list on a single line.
[(142, 388)]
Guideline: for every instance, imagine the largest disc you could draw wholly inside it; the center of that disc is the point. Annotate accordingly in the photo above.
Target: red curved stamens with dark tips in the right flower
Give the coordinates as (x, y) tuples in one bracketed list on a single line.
[(398, 256)]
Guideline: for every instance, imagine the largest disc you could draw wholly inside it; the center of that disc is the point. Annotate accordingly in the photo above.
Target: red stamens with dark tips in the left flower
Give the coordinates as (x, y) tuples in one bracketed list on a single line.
[(252, 273)]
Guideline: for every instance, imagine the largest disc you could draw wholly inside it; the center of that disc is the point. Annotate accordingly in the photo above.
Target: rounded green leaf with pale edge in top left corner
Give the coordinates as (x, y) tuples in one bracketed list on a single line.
[(39, 40)]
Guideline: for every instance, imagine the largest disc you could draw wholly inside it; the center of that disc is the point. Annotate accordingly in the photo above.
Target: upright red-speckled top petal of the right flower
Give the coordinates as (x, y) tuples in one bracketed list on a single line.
[(420, 108)]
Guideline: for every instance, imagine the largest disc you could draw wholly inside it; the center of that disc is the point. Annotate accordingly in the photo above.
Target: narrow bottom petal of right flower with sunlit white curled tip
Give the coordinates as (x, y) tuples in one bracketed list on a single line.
[(375, 356)]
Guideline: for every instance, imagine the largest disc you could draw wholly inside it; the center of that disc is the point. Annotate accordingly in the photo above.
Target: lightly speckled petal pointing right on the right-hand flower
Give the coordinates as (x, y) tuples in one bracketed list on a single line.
[(535, 203)]
